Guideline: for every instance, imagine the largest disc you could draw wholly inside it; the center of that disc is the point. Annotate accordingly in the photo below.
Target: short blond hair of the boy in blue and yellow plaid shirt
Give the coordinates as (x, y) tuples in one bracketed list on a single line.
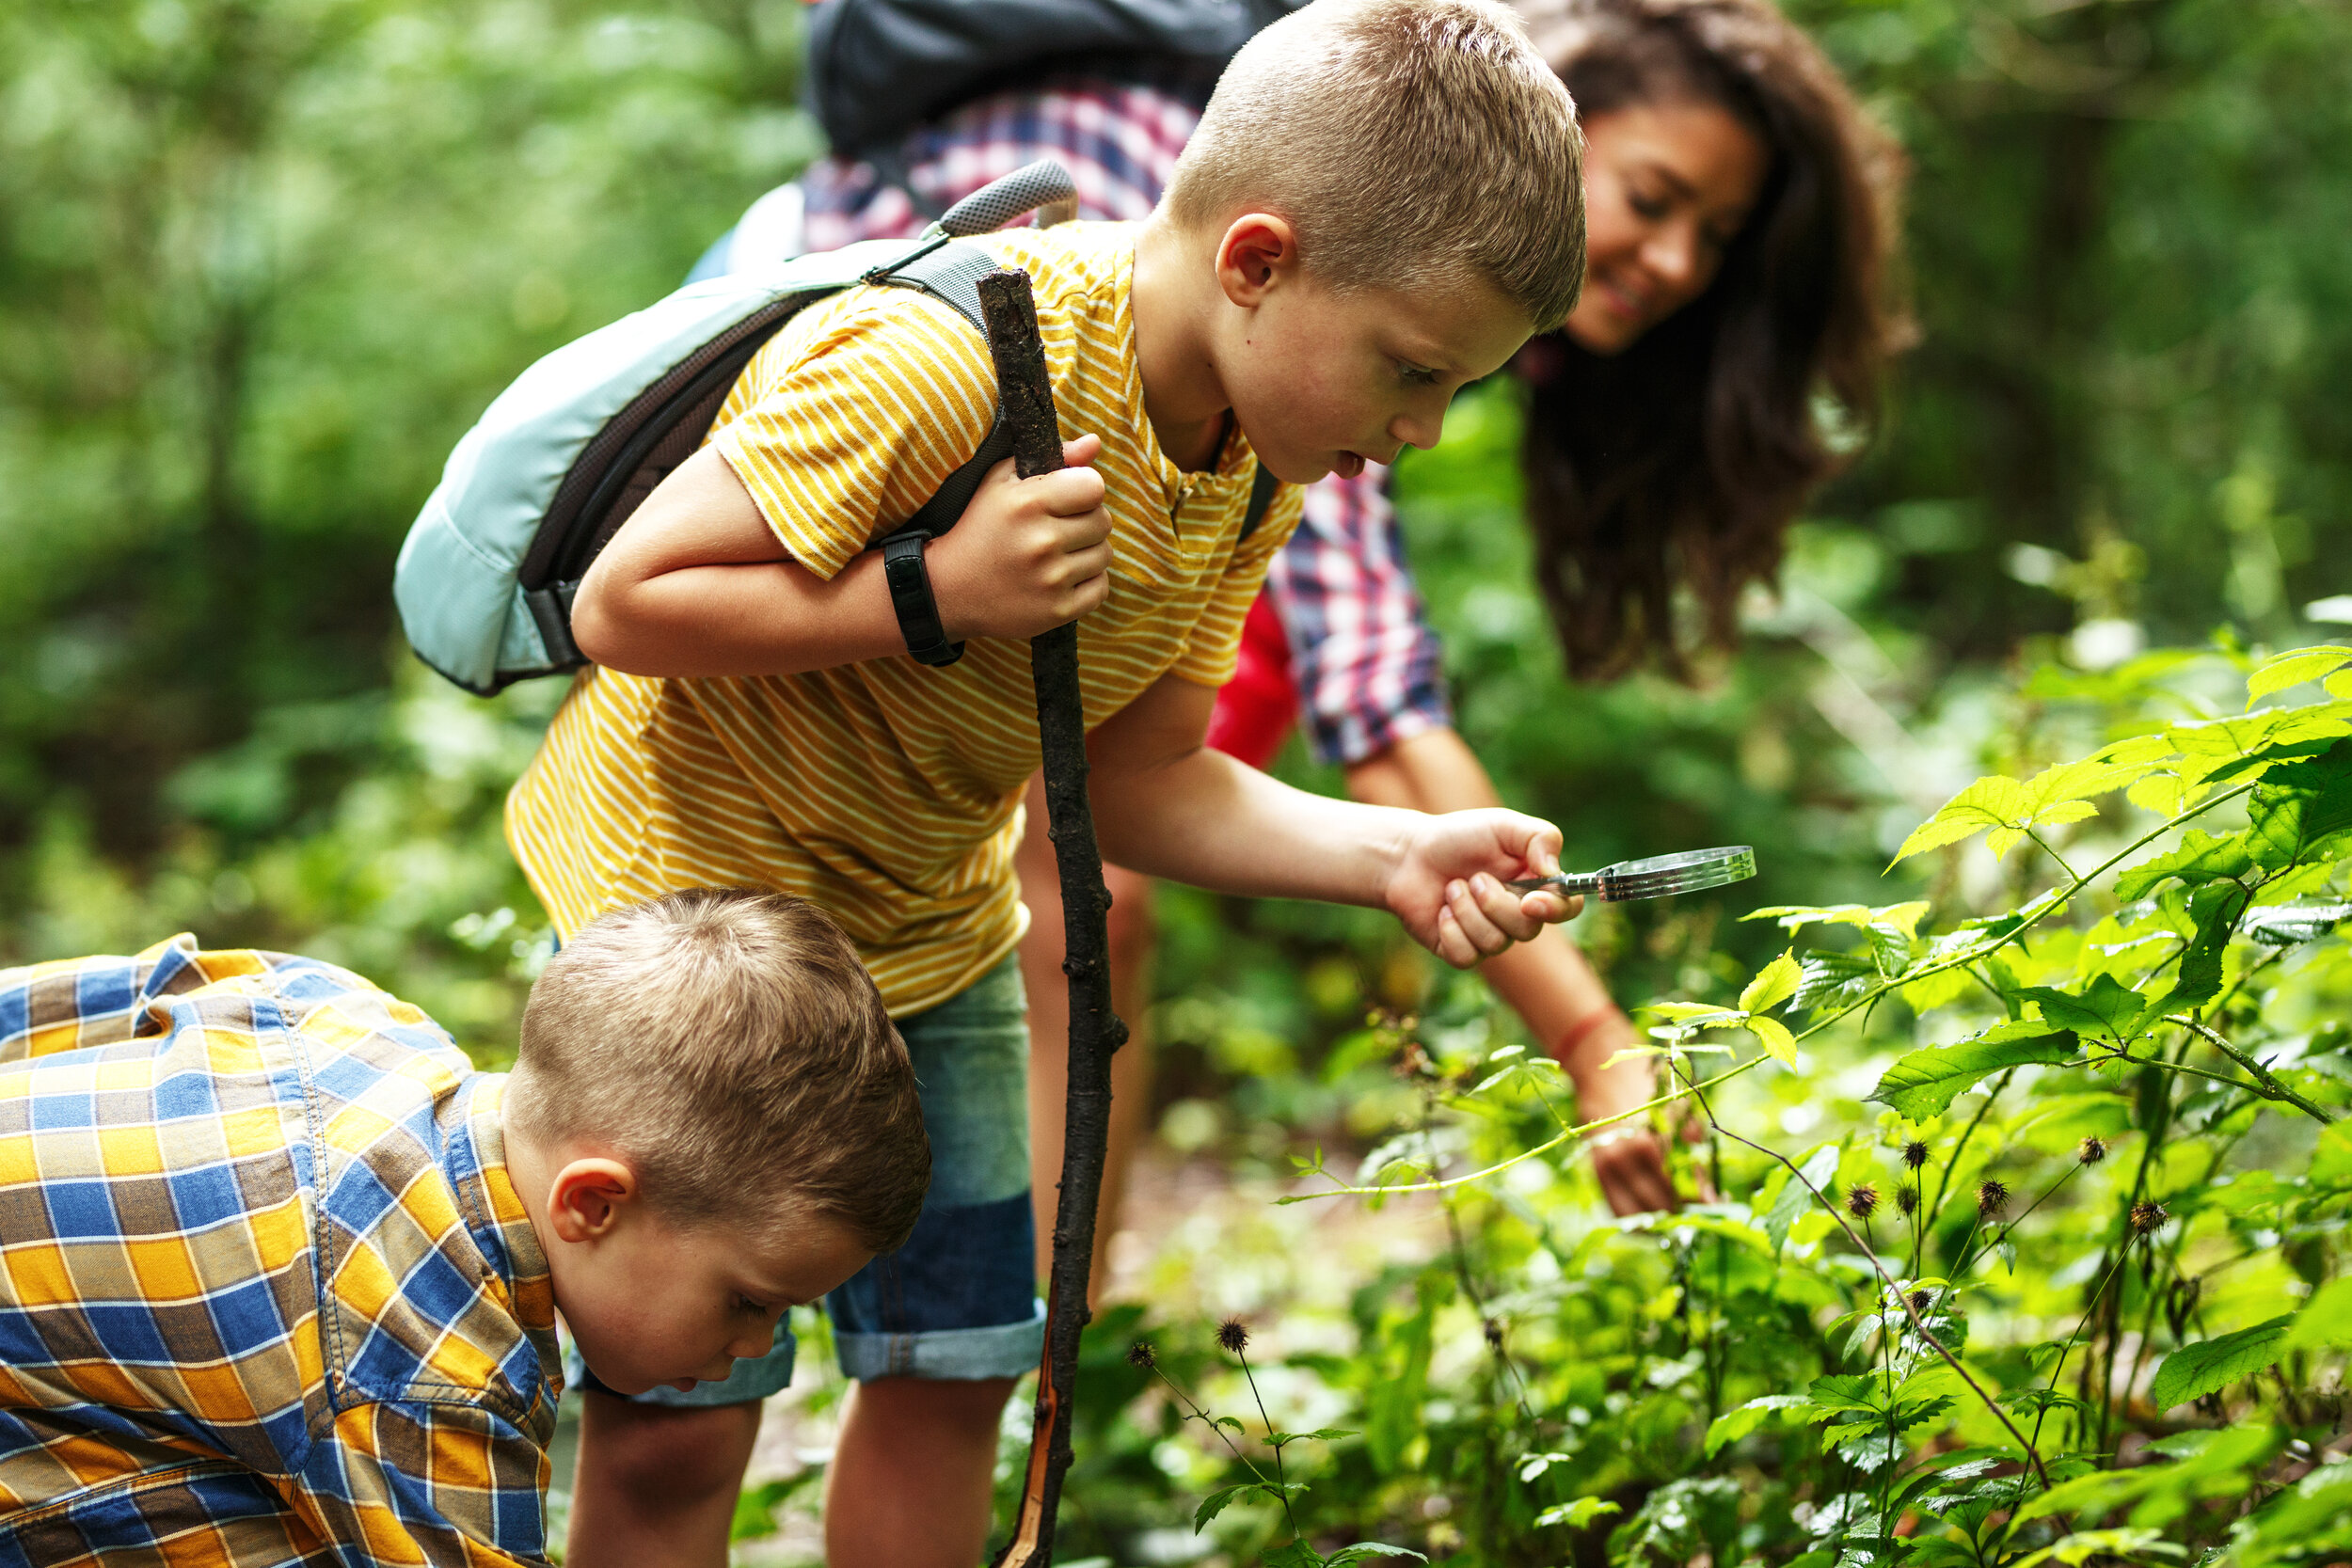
[(737, 1054)]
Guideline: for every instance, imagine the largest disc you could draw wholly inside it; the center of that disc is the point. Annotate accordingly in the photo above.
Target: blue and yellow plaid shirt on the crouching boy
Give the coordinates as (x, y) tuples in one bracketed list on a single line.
[(267, 1292)]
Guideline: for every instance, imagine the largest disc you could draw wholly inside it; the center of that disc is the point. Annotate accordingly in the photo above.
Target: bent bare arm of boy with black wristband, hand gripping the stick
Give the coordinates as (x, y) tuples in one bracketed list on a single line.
[(700, 584)]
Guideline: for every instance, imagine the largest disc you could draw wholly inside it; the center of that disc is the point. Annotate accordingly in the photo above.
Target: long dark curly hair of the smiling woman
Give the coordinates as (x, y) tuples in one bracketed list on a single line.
[(1683, 460)]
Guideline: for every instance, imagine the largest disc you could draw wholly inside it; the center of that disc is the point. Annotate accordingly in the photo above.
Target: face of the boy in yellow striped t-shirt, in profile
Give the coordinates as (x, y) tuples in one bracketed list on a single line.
[(1330, 382)]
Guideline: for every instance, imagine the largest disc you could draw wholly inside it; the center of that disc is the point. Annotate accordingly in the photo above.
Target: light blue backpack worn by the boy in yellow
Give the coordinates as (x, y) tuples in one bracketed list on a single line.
[(568, 453)]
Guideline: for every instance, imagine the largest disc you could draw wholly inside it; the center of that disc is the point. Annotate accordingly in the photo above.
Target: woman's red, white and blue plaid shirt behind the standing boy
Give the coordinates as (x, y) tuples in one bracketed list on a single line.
[(1363, 655)]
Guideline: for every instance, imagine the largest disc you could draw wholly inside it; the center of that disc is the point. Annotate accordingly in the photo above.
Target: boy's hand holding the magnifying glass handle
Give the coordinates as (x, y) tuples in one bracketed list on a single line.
[(1450, 883)]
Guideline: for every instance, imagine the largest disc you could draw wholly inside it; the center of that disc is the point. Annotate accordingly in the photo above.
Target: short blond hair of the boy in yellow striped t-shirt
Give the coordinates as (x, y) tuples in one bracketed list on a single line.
[(1408, 142)]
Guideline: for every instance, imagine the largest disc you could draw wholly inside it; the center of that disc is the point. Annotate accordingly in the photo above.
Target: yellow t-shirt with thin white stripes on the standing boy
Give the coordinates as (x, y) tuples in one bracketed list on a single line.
[(886, 791)]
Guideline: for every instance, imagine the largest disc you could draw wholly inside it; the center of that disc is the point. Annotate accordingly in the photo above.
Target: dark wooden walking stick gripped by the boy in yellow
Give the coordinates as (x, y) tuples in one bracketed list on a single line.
[(1095, 1031)]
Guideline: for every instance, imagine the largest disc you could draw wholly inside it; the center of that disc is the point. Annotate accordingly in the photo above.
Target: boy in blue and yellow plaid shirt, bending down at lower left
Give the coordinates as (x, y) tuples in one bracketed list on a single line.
[(279, 1268)]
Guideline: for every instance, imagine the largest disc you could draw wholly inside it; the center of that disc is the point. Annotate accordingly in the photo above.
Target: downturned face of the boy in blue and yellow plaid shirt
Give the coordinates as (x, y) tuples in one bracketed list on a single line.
[(653, 1301)]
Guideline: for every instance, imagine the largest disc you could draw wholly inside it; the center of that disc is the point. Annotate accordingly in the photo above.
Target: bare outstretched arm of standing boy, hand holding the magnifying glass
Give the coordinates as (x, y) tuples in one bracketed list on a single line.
[(1170, 808)]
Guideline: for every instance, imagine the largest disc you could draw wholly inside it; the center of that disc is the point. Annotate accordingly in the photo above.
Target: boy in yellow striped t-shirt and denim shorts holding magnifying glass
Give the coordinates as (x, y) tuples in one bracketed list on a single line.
[(1379, 206)]
